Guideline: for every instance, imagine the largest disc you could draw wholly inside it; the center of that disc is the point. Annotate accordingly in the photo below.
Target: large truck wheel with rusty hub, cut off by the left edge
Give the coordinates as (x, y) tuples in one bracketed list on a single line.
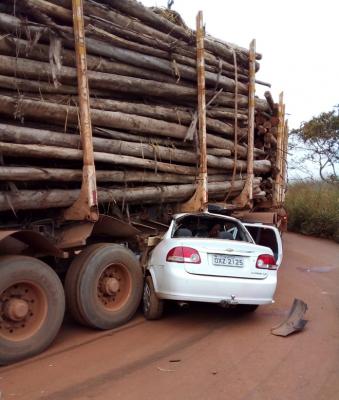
[(32, 306)]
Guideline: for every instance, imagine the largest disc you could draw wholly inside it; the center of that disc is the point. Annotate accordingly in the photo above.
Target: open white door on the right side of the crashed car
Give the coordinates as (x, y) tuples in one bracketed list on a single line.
[(267, 235)]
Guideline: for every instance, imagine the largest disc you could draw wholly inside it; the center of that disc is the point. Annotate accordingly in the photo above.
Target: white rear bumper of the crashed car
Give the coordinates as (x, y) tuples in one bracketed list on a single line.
[(174, 283)]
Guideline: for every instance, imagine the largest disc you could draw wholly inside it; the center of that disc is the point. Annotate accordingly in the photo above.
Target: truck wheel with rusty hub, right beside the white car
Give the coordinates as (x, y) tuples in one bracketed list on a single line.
[(104, 286)]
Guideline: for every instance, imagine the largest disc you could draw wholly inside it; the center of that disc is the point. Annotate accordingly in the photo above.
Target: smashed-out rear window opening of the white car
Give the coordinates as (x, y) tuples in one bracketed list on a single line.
[(198, 226)]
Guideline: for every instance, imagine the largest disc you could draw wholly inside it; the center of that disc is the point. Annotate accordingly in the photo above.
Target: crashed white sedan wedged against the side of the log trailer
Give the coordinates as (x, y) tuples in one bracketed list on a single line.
[(212, 258)]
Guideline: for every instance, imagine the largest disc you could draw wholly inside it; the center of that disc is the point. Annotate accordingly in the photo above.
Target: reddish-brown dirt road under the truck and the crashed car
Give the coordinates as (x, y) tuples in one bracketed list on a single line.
[(204, 352)]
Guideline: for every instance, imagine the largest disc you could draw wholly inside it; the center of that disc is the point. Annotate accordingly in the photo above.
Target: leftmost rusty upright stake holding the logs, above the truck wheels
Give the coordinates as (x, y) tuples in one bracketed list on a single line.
[(86, 206)]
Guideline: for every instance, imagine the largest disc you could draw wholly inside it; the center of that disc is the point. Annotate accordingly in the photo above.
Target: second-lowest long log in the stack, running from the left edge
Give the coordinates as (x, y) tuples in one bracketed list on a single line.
[(31, 174)]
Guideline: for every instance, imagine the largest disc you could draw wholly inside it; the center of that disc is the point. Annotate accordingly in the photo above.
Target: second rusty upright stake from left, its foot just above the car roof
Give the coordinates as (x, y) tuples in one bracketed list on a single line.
[(199, 201)]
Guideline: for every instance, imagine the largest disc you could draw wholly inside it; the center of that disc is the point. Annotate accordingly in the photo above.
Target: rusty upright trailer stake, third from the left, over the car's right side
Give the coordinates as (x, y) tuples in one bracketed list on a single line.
[(246, 196)]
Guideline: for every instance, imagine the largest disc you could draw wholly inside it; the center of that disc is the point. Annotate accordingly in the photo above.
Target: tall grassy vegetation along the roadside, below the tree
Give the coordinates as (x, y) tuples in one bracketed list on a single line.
[(313, 209)]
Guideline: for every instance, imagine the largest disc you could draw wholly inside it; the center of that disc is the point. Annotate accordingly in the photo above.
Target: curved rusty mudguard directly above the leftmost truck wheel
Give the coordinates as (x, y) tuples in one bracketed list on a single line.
[(27, 242)]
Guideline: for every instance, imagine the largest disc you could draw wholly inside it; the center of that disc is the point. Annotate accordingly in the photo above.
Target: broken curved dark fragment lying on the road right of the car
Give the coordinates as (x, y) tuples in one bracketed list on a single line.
[(294, 322)]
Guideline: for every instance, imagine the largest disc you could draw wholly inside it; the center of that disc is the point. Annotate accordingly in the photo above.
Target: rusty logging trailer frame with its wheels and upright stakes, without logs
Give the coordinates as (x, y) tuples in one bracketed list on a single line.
[(94, 263)]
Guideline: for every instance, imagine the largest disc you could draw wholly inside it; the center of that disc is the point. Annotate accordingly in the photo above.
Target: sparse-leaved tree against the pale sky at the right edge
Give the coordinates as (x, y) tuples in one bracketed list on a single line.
[(320, 137)]
